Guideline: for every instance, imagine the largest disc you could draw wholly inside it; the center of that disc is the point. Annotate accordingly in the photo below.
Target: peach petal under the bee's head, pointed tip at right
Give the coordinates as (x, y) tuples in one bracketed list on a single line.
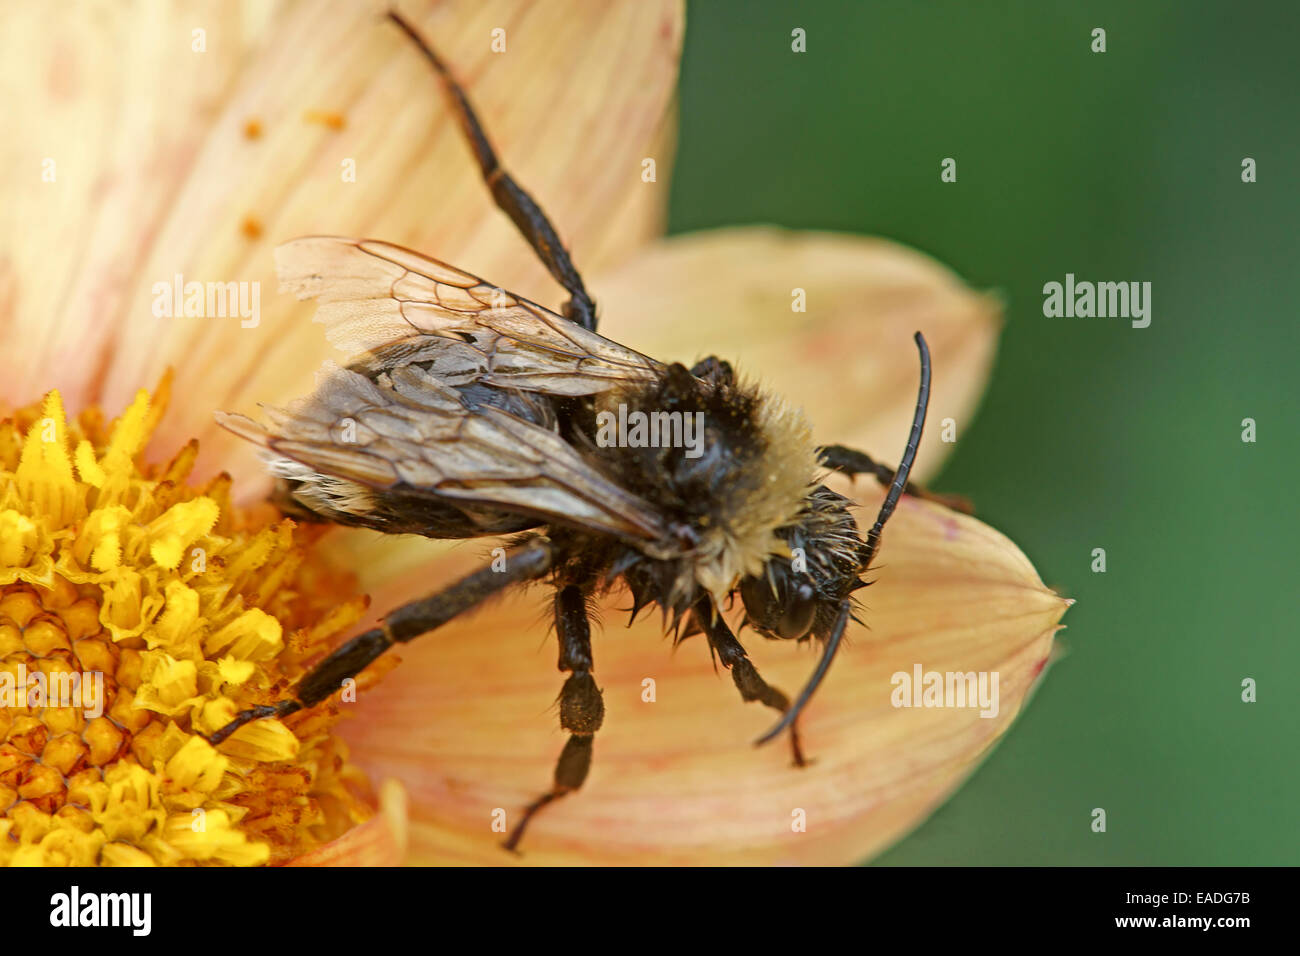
[(469, 721)]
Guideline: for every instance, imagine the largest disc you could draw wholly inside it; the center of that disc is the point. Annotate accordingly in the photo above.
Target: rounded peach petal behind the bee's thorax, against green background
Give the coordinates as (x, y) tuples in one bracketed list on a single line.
[(850, 360)]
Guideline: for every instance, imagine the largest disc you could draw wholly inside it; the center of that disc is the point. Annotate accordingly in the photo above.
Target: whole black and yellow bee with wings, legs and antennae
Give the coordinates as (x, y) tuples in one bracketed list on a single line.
[(469, 412)]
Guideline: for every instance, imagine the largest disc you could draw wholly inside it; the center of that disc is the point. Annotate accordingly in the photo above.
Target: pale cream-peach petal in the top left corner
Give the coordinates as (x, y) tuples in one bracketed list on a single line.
[(105, 107)]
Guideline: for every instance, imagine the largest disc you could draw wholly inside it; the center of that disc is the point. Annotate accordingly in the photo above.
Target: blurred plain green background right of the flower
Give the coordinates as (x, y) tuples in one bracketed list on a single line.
[(1117, 166)]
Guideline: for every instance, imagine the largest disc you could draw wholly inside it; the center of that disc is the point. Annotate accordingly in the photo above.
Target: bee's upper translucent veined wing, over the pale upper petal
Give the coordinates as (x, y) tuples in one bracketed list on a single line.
[(389, 306)]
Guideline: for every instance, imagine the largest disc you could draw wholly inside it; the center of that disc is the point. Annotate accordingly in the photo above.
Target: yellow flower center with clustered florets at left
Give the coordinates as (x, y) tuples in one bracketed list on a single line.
[(136, 615)]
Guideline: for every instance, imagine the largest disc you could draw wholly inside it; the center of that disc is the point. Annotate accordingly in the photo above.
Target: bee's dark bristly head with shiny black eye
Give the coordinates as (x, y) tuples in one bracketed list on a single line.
[(800, 596)]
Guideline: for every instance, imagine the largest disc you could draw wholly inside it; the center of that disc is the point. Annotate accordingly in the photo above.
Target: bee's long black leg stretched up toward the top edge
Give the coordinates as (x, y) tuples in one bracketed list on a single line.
[(512, 198)]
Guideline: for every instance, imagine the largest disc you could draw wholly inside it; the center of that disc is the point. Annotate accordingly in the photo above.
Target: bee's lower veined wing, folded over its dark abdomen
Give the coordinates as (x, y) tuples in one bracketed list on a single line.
[(410, 432)]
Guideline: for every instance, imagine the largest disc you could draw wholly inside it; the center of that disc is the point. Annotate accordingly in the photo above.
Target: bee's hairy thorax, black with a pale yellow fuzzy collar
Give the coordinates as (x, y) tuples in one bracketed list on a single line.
[(731, 464)]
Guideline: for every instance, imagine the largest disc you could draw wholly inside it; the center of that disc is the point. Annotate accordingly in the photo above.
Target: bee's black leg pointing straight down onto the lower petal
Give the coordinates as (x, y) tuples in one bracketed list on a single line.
[(582, 706)]
